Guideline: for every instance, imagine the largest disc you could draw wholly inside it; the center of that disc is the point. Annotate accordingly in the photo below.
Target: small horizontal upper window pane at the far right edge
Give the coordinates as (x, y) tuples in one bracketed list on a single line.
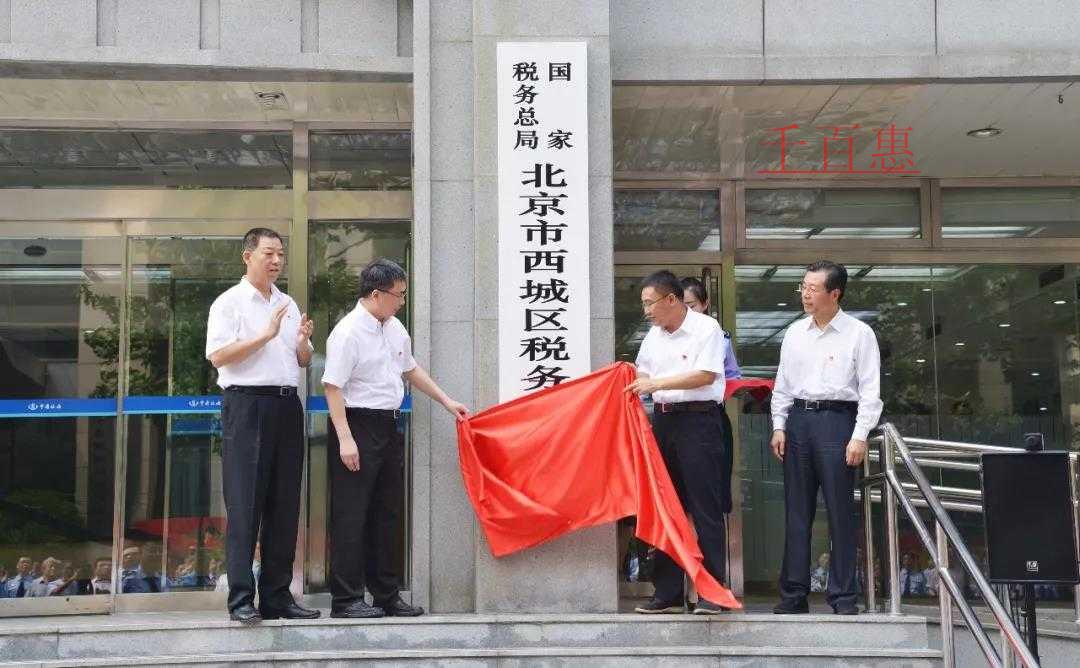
[(994, 213)]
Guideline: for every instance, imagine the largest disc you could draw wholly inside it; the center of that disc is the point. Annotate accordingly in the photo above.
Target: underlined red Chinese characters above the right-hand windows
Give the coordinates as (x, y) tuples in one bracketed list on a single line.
[(892, 155)]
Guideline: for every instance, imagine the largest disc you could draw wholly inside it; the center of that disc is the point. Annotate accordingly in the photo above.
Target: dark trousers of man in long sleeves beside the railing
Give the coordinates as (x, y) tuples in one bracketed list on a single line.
[(816, 447)]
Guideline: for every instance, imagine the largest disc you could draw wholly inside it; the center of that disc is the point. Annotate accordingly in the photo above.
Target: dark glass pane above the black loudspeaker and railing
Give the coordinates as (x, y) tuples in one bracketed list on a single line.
[(1007, 347)]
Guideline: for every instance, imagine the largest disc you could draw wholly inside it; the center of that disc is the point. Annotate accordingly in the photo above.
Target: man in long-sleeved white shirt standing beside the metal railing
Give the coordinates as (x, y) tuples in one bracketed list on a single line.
[(826, 402)]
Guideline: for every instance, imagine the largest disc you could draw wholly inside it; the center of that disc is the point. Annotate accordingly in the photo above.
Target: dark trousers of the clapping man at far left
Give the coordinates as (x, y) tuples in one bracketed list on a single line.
[(262, 463)]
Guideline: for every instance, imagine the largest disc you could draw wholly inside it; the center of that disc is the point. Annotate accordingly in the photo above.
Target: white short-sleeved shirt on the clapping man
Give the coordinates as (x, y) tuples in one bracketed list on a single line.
[(241, 313)]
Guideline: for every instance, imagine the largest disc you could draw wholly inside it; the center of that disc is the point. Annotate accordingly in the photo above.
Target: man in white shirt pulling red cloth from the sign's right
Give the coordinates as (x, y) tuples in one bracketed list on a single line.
[(681, 364)]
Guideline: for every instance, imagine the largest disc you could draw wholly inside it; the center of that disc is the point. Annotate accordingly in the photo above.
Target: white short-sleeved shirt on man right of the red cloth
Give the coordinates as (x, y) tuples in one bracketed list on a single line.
[(697, 346)]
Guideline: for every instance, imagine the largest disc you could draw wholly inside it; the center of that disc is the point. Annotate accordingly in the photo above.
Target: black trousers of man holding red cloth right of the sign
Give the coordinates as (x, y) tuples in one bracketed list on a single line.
[(693, 445)]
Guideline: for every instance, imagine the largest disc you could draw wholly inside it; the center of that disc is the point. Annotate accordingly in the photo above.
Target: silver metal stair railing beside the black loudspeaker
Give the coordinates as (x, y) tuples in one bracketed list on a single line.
[(913, 455)]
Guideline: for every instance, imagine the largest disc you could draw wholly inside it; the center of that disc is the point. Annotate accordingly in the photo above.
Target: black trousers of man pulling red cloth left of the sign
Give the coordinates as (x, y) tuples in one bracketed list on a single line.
[(367, 510)]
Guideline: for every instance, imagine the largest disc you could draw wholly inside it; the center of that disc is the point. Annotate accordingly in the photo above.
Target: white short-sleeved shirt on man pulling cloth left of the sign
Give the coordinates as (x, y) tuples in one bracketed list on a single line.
[(367, 359)]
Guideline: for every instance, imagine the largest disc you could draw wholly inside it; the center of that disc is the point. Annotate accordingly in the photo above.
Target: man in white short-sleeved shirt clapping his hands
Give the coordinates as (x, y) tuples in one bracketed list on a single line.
[(259, 342)]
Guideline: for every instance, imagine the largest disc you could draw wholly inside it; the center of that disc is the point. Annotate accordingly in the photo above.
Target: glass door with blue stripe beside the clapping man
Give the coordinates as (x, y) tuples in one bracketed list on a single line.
[(173, 511)]
